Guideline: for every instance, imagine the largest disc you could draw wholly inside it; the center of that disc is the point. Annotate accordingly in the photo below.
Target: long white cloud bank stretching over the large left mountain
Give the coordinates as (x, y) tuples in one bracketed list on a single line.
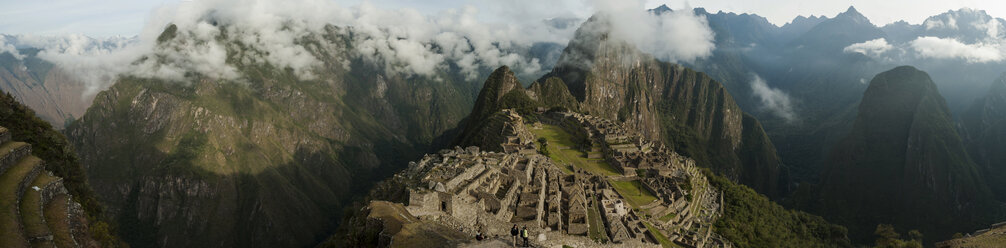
[(403, 42)]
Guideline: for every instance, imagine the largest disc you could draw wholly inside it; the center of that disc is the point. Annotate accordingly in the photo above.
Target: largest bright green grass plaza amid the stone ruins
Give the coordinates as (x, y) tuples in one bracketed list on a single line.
[(558, 138)]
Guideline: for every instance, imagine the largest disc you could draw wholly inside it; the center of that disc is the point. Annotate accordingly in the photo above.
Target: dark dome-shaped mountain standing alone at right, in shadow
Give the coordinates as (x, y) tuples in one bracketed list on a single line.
[(904, 164)]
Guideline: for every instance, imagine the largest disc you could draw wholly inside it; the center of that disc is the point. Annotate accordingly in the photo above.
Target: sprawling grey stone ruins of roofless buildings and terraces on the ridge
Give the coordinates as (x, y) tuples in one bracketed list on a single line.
[(477, 191)]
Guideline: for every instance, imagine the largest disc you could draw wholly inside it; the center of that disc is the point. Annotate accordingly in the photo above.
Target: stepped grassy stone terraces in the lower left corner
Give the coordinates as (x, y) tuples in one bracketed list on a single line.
[(36, 208)]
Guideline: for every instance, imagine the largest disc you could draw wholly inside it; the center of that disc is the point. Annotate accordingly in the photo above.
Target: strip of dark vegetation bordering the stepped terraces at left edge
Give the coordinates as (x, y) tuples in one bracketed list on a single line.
[(52, 147)]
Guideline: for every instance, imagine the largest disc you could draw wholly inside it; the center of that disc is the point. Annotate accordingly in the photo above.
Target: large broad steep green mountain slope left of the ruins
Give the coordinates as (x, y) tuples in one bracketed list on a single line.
[(268, 161)]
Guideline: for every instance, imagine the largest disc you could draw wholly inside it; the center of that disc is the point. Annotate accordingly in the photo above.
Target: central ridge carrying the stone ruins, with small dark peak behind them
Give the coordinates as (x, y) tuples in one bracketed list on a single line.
[(391, 213)]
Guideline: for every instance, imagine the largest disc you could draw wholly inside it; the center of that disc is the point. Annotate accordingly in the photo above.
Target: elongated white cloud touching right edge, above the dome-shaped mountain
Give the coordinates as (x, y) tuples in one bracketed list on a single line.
[(949, 49)]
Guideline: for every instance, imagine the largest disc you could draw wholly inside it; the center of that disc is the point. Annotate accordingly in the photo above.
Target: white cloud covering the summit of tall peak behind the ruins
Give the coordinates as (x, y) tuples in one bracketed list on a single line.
[(680, 36)]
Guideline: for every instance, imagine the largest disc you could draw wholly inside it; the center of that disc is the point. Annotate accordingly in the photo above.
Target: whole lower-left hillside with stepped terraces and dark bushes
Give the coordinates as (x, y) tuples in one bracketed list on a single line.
[(59, 172)]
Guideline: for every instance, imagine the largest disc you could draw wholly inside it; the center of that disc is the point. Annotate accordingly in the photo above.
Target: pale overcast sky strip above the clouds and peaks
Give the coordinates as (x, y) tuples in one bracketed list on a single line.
[(126, 18)]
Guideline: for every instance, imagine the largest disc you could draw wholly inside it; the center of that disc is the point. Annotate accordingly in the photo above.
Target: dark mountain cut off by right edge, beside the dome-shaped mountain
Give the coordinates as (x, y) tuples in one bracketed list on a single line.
[(985, 134)]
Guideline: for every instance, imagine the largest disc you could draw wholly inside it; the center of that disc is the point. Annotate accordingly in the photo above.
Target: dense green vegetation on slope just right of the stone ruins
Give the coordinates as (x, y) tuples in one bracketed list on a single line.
[(752, 220)]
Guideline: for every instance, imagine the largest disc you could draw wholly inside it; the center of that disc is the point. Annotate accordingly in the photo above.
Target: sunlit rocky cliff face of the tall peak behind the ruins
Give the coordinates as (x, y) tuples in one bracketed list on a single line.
[(668, 103)]
